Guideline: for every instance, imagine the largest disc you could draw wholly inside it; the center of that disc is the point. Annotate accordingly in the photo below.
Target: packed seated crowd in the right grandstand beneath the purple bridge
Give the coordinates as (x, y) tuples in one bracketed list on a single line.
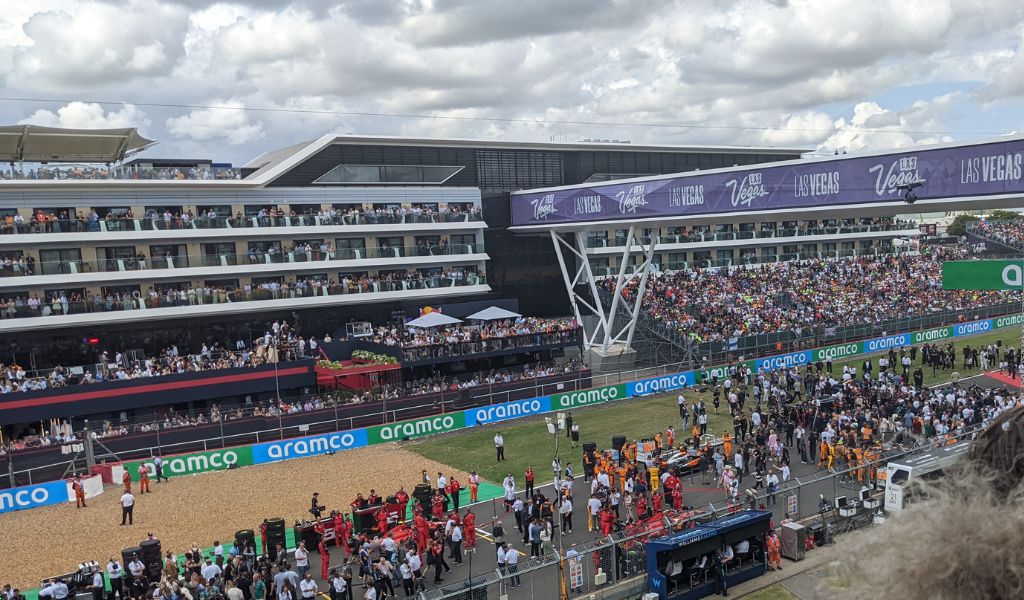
[(717, 305)]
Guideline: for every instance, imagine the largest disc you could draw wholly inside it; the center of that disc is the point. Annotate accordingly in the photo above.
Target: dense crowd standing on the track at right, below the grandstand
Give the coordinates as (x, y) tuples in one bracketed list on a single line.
[(840, 421)]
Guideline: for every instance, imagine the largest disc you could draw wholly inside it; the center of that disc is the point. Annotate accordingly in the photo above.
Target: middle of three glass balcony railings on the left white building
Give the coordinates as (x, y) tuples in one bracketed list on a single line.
[(22, 268)]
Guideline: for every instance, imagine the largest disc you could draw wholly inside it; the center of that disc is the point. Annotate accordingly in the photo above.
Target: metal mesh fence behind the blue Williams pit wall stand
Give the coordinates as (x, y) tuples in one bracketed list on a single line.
[(622, 556)]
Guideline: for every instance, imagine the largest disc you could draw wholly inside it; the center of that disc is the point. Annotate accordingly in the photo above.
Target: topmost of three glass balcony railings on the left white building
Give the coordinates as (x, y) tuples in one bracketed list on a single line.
[(159, 224)]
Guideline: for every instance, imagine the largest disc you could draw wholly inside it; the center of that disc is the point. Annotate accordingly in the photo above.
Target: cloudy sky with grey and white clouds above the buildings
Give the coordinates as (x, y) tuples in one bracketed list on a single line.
[(230, 80)]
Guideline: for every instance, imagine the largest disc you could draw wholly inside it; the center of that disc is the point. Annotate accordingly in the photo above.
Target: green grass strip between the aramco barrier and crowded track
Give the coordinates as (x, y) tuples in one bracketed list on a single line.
[(528, 443)]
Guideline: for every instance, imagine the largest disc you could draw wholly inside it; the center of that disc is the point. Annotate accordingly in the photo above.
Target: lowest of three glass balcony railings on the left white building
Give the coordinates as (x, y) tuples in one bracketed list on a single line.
[(23, 308)]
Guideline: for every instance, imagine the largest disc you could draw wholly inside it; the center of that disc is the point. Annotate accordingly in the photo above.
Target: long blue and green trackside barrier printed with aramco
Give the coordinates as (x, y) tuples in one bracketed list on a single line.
[(261, 454)]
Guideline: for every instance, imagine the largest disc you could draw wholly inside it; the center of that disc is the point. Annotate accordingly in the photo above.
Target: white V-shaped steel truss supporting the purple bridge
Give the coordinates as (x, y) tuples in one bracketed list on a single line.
[(608, 332)]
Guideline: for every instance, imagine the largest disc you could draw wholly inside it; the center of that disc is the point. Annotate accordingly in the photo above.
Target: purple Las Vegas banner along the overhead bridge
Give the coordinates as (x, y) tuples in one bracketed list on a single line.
[(949, 173)]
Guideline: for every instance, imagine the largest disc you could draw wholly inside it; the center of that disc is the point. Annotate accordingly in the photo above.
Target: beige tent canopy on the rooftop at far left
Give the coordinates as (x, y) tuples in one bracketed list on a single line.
[(33, 144)]
